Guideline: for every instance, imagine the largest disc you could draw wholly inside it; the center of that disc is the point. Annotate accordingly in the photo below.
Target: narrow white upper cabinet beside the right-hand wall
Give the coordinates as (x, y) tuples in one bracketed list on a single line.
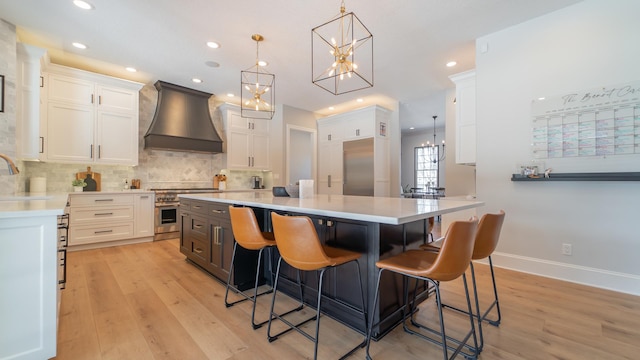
[(465, 116)]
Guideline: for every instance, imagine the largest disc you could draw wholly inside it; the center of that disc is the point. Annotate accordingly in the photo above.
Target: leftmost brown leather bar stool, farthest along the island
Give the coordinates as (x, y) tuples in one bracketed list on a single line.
[(248, 235)]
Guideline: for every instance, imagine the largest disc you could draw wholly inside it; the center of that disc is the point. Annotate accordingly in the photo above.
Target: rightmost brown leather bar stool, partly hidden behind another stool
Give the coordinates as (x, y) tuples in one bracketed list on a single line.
[(485, 244)]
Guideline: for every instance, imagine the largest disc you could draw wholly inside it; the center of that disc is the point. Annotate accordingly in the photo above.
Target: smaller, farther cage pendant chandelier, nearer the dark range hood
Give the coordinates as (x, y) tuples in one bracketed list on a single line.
[(257, 89)]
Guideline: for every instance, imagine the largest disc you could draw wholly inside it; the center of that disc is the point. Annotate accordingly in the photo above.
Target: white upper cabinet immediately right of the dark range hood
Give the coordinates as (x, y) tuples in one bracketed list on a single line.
[(247, 141)]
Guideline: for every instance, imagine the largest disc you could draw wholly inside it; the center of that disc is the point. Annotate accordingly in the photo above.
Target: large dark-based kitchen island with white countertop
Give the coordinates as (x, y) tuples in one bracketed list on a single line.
[(378, 227)]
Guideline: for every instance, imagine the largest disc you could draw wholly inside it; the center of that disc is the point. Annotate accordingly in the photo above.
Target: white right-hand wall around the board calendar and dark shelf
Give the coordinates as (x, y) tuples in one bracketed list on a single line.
[(594, 43)]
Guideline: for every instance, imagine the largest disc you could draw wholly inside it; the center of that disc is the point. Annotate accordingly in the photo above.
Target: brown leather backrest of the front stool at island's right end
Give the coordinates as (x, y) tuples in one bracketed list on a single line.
[(455, 255)]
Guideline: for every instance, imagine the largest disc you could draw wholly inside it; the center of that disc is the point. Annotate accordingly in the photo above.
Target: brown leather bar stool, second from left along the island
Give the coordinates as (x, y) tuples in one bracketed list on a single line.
[(300, 247)]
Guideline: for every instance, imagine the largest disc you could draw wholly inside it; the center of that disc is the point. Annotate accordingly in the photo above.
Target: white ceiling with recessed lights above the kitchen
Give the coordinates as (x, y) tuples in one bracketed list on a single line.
[(165, 40)]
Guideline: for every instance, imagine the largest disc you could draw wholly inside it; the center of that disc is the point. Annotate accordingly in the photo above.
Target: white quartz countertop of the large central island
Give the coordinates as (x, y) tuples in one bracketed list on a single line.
[(385, 210)]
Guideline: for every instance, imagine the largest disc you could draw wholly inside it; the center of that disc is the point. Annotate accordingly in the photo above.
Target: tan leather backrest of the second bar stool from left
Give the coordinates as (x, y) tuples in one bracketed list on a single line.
[(298, 242)]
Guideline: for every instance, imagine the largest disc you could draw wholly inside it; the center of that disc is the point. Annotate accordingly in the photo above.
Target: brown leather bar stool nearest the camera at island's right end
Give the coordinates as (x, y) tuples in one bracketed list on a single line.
[(449, 264)]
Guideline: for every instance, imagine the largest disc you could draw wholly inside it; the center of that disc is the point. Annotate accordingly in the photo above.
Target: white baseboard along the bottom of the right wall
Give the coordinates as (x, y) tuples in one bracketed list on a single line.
[(605, 279)]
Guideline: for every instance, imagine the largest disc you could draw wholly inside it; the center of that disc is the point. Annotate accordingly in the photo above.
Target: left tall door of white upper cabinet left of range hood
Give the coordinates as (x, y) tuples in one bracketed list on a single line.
[(70, 130)]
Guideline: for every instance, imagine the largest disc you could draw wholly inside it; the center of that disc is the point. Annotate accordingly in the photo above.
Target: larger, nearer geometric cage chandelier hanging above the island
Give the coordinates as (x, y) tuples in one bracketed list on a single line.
[(342, 54)]
